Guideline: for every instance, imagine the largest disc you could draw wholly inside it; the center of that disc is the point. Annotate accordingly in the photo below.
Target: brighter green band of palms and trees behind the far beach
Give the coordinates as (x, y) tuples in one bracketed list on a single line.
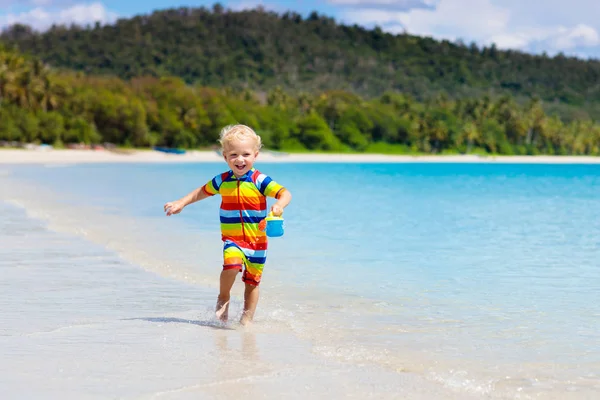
[(40, 105)]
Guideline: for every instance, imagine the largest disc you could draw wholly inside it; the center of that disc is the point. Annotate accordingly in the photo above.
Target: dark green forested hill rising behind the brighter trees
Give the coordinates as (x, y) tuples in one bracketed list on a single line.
[(260, 50)]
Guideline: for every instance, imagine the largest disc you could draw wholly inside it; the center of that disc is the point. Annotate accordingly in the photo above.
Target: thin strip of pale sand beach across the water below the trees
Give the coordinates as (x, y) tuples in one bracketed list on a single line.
[(19, 156)]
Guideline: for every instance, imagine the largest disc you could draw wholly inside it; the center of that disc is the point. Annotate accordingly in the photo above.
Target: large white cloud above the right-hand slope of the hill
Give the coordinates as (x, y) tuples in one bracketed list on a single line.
[(532, 25)]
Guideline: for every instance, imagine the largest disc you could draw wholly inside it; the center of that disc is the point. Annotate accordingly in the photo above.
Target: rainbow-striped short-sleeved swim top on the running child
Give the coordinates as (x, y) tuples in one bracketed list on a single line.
[(243, 205)]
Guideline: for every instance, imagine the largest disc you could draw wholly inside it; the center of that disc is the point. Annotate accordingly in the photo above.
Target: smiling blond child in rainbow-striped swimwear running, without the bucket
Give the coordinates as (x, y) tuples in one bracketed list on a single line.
[(243, 209)]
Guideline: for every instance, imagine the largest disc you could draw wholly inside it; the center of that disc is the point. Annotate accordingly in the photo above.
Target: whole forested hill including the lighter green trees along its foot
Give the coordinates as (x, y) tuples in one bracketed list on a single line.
[(301, 83)]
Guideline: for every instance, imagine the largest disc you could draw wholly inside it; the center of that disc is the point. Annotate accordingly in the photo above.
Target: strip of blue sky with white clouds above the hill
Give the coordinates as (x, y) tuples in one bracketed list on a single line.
[(535, 26)]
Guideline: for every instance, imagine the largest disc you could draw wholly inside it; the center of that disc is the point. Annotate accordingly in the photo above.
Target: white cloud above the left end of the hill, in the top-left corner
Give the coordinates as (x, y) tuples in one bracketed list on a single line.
[(41, 18)]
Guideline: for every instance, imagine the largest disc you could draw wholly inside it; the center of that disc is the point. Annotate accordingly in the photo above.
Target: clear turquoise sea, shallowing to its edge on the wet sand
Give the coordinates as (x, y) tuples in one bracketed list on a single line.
[(484, 277)]
